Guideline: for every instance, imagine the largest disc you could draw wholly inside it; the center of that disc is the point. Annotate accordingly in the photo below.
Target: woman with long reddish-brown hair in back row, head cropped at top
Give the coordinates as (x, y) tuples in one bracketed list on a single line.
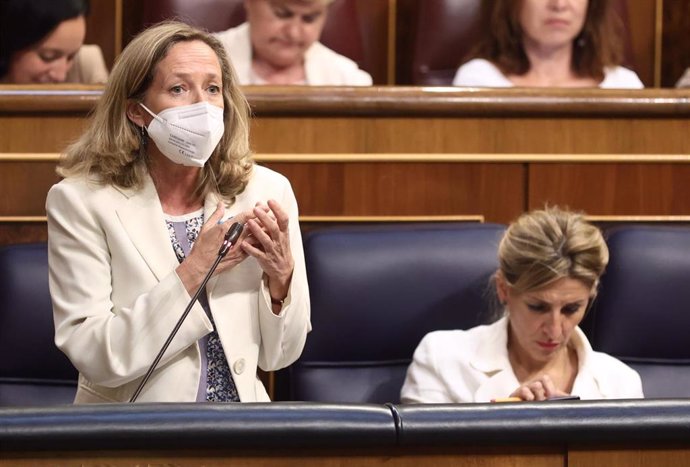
[(537, 43)]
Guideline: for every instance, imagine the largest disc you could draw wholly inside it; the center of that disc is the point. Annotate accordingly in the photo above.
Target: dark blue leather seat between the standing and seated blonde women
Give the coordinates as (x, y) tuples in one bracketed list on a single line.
[(375, 292)]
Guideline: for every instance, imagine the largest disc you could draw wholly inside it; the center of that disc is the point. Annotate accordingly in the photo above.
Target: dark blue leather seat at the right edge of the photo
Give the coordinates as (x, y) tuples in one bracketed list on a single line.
[(641, 315)]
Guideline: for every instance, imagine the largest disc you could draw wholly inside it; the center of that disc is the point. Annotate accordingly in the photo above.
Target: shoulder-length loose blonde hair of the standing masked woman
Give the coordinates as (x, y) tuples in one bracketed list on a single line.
[(112, 150)]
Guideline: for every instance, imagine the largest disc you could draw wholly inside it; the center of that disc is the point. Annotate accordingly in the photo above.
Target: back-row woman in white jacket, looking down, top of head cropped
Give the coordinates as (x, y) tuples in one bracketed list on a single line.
[(279, 44)]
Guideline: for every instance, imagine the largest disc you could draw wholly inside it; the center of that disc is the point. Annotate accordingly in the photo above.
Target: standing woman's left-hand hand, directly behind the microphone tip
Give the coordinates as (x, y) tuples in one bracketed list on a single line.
[(205, 251)]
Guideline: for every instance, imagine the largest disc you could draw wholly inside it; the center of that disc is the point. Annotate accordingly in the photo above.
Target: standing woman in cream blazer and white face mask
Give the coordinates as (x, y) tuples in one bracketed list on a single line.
[(137, 223)]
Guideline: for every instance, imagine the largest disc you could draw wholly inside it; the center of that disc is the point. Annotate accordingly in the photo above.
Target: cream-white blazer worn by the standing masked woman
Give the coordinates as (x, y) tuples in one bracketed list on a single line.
[(116, 295)]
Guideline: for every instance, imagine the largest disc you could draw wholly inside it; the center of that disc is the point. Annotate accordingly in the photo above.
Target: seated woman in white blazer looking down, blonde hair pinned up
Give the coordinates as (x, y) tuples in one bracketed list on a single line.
[(550, 262)]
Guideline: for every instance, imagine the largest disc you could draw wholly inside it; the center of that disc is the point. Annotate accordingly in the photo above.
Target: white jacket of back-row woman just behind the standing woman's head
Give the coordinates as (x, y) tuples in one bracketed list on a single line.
[(323, 66)]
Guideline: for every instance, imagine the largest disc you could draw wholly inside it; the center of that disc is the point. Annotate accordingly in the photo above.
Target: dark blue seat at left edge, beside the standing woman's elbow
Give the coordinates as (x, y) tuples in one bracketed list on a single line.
[(33, 371)]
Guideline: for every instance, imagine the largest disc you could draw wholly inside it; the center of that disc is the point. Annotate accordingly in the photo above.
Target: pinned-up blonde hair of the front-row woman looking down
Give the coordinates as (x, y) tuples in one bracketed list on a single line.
[(543, 246)]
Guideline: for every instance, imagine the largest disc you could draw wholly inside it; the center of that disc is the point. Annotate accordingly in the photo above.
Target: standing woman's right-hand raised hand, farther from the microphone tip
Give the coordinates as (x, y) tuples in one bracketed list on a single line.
[(269, 243)]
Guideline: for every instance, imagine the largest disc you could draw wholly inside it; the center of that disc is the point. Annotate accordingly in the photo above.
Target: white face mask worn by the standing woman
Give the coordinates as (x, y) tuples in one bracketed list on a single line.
[(187, 134)]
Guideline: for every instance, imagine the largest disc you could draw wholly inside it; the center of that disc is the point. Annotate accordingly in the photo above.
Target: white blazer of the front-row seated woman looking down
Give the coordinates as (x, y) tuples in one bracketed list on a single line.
[(473, 366)]
